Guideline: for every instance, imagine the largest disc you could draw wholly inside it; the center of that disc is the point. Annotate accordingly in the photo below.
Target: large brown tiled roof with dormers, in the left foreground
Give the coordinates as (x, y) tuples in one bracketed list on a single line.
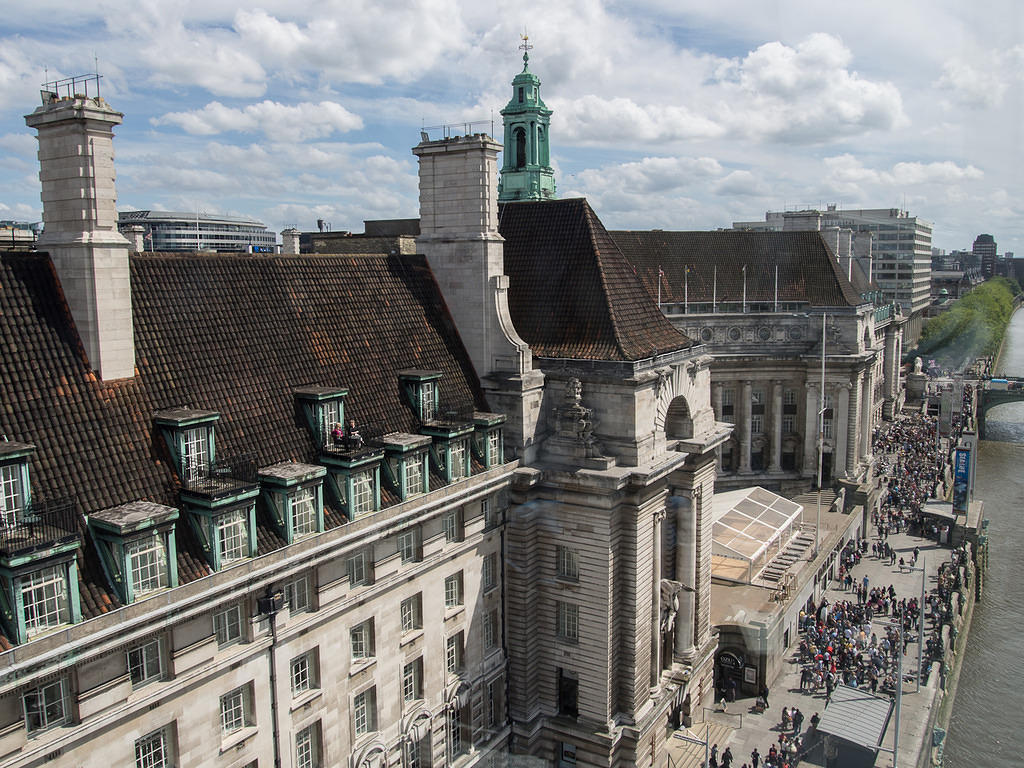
[(234, 334)]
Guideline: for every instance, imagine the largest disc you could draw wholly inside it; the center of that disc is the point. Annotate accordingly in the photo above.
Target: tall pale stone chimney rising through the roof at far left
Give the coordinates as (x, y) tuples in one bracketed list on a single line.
[(76, 168)]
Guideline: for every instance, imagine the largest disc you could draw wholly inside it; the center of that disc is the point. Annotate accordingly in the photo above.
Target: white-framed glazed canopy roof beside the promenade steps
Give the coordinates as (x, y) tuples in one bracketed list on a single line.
[(751, 526)]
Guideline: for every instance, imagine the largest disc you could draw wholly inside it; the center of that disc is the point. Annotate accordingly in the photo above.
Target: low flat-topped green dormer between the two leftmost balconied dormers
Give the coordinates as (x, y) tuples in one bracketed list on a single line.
[(138, 549)]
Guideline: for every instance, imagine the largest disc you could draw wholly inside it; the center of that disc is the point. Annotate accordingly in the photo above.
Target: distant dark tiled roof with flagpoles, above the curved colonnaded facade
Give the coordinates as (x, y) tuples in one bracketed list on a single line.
[(807, 271)]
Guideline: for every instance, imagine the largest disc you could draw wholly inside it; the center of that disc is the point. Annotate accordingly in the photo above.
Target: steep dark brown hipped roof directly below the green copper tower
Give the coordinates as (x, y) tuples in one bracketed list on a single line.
[(572, 293)]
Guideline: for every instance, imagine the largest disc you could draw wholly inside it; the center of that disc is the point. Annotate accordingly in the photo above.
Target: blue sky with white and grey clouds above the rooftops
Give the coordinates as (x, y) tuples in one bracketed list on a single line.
[(672, 114)]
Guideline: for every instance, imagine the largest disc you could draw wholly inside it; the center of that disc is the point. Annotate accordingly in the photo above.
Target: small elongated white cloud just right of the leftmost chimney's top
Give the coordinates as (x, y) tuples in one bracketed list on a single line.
[(277, 121)]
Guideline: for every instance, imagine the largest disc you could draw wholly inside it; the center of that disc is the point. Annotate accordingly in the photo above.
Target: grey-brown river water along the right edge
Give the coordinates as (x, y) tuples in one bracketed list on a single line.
[(988, 727)]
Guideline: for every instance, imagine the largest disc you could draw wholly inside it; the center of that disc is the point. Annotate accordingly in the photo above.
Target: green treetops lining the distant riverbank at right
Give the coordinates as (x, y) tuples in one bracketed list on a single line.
[(973, 327)]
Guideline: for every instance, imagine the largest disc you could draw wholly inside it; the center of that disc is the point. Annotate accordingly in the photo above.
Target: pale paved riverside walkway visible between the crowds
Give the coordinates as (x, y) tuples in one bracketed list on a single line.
[(742, 730)]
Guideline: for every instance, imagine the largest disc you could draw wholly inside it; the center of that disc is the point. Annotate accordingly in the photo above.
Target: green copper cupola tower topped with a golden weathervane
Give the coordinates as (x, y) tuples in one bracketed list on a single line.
[(527, 173)]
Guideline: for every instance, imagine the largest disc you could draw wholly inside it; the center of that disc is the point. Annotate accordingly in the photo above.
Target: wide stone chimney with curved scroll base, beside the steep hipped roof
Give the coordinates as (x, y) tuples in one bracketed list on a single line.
[(459, 236)]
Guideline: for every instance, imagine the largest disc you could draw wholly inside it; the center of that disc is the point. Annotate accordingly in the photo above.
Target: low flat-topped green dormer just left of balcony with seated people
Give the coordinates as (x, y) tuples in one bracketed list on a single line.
[(294, 495)]
